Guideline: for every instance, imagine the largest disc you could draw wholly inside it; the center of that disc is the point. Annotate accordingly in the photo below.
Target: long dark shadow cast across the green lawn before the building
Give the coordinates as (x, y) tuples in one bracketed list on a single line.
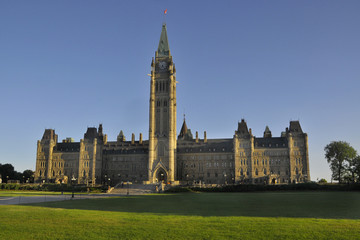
[(345, 205)]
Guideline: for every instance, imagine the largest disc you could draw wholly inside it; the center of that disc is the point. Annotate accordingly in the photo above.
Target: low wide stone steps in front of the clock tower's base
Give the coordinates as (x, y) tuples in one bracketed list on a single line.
[(133, 189)]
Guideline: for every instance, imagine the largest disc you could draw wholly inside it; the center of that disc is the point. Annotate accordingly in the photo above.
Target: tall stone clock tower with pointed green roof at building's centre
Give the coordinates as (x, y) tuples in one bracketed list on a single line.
[(162, 123)]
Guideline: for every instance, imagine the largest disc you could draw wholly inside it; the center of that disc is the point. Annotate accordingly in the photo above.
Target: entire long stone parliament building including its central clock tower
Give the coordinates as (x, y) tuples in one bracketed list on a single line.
[(171, 158)]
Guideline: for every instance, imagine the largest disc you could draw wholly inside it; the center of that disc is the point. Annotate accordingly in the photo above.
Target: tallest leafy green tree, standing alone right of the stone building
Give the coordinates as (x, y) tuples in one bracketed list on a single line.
[(339, 155)]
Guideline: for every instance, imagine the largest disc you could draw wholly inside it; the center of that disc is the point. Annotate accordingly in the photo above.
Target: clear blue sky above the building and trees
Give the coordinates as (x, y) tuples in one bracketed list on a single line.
[(68, 65)]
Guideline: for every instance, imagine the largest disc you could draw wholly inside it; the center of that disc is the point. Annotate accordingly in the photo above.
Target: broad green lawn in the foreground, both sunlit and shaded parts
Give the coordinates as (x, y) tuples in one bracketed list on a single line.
[(280, 215)]
